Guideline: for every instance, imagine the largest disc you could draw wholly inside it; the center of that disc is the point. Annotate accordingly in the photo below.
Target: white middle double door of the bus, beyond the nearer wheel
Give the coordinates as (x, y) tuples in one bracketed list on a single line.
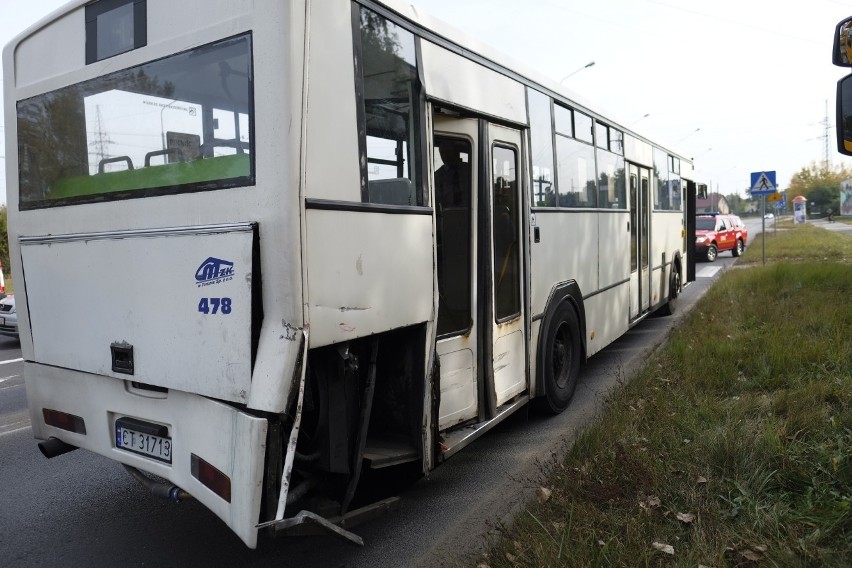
[(638, 182)]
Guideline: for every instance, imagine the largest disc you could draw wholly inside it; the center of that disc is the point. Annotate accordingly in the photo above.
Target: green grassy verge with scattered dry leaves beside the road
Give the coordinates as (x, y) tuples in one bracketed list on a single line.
[(733, 447)]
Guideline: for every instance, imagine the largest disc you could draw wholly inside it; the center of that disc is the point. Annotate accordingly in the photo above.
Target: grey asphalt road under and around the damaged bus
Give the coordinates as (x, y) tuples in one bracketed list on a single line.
[(80, 509)]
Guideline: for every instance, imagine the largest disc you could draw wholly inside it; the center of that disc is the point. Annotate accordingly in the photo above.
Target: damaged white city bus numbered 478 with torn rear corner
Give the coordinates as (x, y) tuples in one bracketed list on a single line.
[(264, 249)]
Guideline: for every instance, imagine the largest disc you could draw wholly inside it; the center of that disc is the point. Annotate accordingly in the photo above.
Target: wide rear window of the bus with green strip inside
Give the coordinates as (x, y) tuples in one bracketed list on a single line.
[(178, 124)]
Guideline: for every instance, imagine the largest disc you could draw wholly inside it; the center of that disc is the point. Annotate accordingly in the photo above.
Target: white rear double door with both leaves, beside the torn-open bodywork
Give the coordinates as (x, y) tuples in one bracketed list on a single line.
[(481, 331)]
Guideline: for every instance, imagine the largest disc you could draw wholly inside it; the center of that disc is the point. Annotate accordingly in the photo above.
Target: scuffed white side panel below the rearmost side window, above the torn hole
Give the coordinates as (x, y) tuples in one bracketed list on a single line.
[(357, 290)]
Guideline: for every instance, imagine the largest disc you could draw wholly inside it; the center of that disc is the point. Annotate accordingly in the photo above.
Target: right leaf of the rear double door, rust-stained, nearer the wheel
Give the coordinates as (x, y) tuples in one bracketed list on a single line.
[(508, 354)]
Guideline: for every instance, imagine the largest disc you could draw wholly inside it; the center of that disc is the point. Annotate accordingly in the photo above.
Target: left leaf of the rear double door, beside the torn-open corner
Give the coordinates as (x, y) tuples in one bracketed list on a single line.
[(455, 166)]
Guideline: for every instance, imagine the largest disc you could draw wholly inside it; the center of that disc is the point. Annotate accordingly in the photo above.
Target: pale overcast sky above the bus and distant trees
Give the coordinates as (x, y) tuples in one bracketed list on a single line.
[(739, 85)]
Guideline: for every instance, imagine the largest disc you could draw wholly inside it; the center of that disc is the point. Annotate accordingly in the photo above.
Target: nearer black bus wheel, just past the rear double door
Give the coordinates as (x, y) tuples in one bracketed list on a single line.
[(560, 360)]
